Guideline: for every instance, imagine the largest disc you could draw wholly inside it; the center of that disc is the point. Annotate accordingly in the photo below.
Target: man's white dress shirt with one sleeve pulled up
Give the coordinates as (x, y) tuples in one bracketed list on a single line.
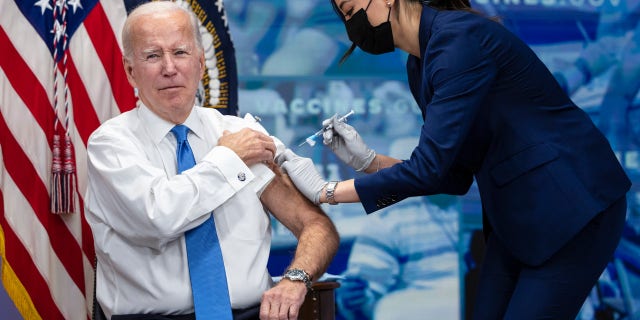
[(139, 209)]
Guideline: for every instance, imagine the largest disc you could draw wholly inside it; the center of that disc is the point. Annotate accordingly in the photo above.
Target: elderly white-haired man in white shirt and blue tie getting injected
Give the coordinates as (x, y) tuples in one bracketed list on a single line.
[(169, 180)]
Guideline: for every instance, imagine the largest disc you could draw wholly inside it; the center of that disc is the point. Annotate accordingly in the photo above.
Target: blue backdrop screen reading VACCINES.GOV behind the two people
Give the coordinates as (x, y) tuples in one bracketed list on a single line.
[(288, 55)]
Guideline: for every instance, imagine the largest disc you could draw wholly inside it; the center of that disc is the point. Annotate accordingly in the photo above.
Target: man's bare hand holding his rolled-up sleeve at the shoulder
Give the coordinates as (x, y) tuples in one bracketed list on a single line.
[(250, 145)]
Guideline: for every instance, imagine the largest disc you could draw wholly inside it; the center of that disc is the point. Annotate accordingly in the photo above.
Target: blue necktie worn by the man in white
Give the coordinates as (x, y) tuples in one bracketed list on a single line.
[(206, 269)]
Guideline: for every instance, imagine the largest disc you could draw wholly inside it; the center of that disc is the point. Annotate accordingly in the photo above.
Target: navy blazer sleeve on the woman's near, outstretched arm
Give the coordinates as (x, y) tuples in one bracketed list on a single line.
[(458, 75)]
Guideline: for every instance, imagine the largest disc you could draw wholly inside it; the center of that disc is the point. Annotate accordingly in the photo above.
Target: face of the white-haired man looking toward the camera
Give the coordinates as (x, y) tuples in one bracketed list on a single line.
[(166, 65)]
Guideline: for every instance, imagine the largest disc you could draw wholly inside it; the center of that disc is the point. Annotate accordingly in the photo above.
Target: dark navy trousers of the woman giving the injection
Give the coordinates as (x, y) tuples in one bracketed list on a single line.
[(556, 289)]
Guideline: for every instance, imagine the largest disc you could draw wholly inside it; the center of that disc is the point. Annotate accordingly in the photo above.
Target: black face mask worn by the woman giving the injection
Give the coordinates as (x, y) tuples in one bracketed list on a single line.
[(374, 40)]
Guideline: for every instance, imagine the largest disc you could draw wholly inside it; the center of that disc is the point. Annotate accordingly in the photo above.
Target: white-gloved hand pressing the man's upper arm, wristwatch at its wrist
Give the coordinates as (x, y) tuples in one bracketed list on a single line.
[(303, 173)]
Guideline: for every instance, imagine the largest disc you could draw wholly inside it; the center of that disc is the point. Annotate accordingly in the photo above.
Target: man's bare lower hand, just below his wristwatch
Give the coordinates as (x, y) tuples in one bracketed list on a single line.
[(283, 301)]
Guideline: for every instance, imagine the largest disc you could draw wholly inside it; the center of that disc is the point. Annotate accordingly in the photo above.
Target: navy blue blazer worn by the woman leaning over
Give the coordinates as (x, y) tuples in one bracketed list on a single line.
[(493, 111)]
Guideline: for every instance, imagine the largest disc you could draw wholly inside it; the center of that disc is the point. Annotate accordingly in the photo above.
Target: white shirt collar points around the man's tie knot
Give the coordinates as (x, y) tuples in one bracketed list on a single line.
[(159, 128)]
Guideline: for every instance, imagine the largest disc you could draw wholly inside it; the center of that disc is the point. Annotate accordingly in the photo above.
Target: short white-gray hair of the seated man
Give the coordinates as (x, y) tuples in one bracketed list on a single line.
[(151, 8)]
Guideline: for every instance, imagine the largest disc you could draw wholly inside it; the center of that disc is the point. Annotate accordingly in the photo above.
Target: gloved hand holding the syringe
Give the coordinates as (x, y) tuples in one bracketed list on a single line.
[(347, 144)]
